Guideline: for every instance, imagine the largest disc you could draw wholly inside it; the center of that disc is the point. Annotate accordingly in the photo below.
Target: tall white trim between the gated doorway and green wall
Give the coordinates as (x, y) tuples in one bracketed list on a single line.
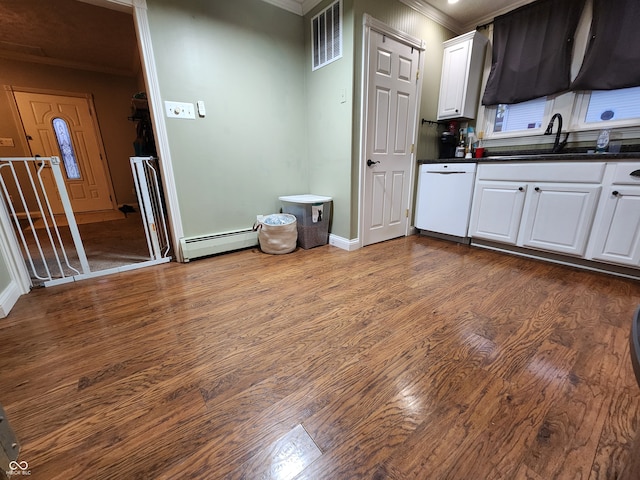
[(143, 33)]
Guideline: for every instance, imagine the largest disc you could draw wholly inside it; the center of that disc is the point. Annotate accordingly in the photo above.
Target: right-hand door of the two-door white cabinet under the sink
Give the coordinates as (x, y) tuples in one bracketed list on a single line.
[(558, 217)]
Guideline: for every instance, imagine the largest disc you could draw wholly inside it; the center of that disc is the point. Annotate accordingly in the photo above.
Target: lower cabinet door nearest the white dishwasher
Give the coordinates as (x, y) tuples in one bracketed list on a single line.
[(497, 211)]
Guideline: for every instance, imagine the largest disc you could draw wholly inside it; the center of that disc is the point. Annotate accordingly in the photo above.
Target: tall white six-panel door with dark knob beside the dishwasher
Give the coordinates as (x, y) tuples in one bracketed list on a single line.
[(390, 129)]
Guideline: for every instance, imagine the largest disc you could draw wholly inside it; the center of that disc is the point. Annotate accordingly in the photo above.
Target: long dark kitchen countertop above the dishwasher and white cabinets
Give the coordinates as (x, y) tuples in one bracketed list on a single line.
[(546, 157)]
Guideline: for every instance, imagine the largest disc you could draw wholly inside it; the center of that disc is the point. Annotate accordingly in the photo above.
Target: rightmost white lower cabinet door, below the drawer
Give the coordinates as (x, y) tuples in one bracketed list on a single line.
[(617, 234)]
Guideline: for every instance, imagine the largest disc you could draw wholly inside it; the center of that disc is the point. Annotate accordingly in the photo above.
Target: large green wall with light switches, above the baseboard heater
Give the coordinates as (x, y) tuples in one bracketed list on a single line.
[(245, 60)]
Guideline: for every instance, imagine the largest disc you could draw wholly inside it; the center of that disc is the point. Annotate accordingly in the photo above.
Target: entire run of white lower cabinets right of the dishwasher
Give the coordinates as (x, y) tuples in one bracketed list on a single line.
[(586, 210)]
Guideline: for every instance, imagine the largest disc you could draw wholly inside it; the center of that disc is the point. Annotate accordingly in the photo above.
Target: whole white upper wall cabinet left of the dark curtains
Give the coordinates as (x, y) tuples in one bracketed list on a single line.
[(461, 75)]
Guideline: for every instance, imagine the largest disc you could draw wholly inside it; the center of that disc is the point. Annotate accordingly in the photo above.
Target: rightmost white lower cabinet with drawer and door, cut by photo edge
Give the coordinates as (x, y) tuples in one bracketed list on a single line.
[(616, 232)]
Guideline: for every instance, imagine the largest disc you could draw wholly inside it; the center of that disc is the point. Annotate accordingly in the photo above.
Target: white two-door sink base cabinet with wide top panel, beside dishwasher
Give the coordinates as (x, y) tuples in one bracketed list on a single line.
[(537, 205)]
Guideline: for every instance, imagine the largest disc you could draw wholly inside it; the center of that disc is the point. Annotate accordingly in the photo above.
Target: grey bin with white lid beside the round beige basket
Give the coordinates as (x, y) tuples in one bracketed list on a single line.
[(313, 213)]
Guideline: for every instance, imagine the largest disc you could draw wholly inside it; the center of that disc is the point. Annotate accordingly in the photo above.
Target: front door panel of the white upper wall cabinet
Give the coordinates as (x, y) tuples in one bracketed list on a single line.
[(454, 80)]
